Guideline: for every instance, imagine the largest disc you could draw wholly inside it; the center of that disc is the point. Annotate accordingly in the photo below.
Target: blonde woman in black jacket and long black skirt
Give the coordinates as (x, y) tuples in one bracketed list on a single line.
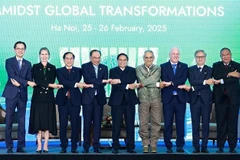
[(43, 112)]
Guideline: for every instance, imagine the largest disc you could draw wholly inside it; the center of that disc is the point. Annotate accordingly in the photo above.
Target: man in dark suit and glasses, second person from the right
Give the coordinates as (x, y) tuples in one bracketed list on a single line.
[(200, 78)]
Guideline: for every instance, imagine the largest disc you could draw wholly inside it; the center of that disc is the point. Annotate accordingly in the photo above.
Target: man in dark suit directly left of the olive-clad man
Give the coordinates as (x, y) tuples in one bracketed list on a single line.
[(122, 101)]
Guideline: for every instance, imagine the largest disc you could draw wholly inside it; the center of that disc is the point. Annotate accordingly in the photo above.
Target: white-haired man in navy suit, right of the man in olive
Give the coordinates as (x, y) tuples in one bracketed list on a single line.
[(173, 75)]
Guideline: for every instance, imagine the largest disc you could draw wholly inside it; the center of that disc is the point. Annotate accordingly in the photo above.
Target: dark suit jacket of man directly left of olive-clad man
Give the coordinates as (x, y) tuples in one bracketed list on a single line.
[(119, 93)]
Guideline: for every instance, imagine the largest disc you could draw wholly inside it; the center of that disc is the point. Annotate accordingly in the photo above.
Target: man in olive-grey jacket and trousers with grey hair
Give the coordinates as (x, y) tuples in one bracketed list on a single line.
[(150, 107)]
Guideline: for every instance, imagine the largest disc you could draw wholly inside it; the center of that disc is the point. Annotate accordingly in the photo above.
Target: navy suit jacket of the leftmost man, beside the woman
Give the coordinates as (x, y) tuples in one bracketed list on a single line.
[(22, 76)]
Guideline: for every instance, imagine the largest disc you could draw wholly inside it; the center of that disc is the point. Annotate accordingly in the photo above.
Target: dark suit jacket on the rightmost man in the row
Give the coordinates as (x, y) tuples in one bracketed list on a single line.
[(231, 85)]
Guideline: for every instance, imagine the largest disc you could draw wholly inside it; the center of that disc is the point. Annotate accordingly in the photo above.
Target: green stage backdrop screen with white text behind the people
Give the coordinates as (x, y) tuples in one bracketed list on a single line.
[(114, 26)]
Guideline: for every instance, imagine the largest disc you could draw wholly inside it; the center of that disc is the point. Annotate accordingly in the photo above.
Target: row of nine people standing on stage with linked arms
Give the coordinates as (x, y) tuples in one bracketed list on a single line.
[(159, 88)]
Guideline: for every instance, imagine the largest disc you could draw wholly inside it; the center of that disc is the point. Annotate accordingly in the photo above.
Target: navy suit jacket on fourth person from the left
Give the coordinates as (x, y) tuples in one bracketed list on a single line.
[(89, 76)]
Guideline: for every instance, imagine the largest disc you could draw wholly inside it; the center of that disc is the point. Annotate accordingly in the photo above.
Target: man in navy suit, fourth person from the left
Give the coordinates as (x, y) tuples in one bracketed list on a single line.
[(93, 99)]
